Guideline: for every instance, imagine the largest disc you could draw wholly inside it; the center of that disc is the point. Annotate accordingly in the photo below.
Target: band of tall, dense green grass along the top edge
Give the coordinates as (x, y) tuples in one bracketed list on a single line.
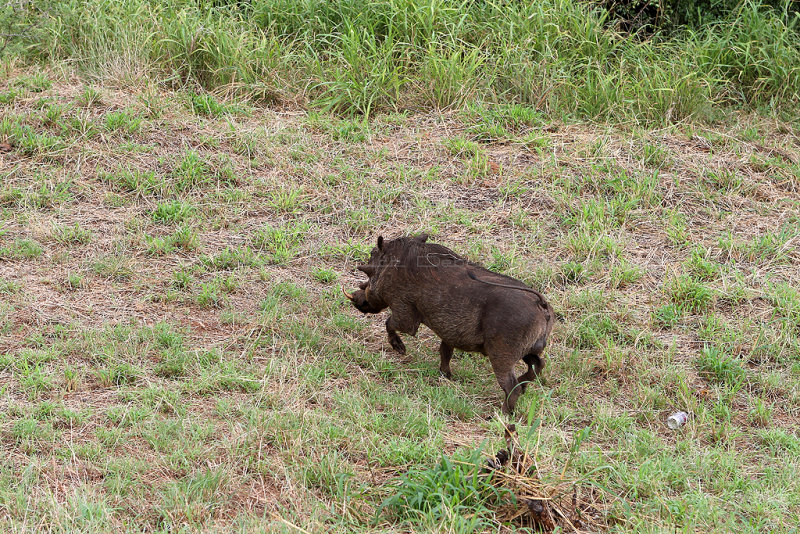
[(559, 56)]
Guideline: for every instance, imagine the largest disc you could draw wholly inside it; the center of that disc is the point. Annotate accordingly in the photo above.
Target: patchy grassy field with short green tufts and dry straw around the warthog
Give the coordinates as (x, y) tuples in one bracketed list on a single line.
[(176, 355)]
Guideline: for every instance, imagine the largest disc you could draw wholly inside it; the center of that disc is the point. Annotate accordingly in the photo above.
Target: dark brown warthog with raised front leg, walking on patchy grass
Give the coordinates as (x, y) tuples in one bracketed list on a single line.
[(469, 307)]
